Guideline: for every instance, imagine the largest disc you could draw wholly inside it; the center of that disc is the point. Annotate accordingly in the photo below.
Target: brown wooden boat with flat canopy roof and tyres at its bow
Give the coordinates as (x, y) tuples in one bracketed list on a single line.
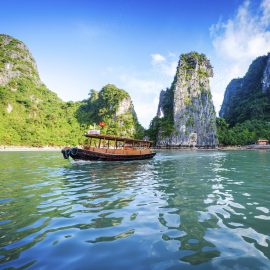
[(110, 148)]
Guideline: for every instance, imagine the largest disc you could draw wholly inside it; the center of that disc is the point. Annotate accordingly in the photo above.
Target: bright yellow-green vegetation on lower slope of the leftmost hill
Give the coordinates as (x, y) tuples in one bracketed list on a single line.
[(33, 115)]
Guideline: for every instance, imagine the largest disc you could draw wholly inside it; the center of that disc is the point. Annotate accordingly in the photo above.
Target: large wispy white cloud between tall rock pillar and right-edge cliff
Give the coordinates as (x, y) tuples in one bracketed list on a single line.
[(237, 42)]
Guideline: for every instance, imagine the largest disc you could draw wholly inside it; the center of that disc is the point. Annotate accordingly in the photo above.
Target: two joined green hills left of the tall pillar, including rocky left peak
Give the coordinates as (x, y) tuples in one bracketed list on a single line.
[(31, 114)]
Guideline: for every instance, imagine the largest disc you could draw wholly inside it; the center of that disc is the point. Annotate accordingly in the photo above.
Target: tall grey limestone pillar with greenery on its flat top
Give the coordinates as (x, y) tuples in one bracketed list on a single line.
[(187, 105)]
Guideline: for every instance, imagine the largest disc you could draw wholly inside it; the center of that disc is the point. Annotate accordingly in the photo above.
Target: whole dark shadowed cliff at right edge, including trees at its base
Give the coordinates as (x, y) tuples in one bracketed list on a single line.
[(245, 110)]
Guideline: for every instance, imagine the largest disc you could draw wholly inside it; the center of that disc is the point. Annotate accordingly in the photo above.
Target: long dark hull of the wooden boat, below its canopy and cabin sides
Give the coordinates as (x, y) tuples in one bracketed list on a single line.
[(80, 154)]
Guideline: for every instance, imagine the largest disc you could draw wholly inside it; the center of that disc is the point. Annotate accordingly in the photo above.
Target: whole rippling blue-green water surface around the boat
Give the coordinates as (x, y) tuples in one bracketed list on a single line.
[(180, 210)]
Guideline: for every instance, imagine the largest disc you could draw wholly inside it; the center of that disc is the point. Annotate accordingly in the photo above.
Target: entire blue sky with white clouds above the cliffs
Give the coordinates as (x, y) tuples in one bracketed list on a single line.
[(81, 45)]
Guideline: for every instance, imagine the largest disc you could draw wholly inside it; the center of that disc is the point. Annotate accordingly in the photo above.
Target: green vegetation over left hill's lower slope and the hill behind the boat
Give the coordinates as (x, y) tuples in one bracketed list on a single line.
[(33, 115)]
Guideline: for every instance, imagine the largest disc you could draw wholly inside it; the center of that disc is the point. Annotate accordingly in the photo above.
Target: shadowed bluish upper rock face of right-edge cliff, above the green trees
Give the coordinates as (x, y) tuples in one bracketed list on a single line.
[(248, 98)]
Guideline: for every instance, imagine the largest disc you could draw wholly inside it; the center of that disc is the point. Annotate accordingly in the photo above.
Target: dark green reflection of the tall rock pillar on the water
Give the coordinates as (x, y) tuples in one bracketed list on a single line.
[(186, 202)]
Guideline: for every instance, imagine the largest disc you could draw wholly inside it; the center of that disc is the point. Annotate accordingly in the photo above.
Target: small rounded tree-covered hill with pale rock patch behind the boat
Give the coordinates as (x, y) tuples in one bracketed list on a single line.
[(114, 107)]
